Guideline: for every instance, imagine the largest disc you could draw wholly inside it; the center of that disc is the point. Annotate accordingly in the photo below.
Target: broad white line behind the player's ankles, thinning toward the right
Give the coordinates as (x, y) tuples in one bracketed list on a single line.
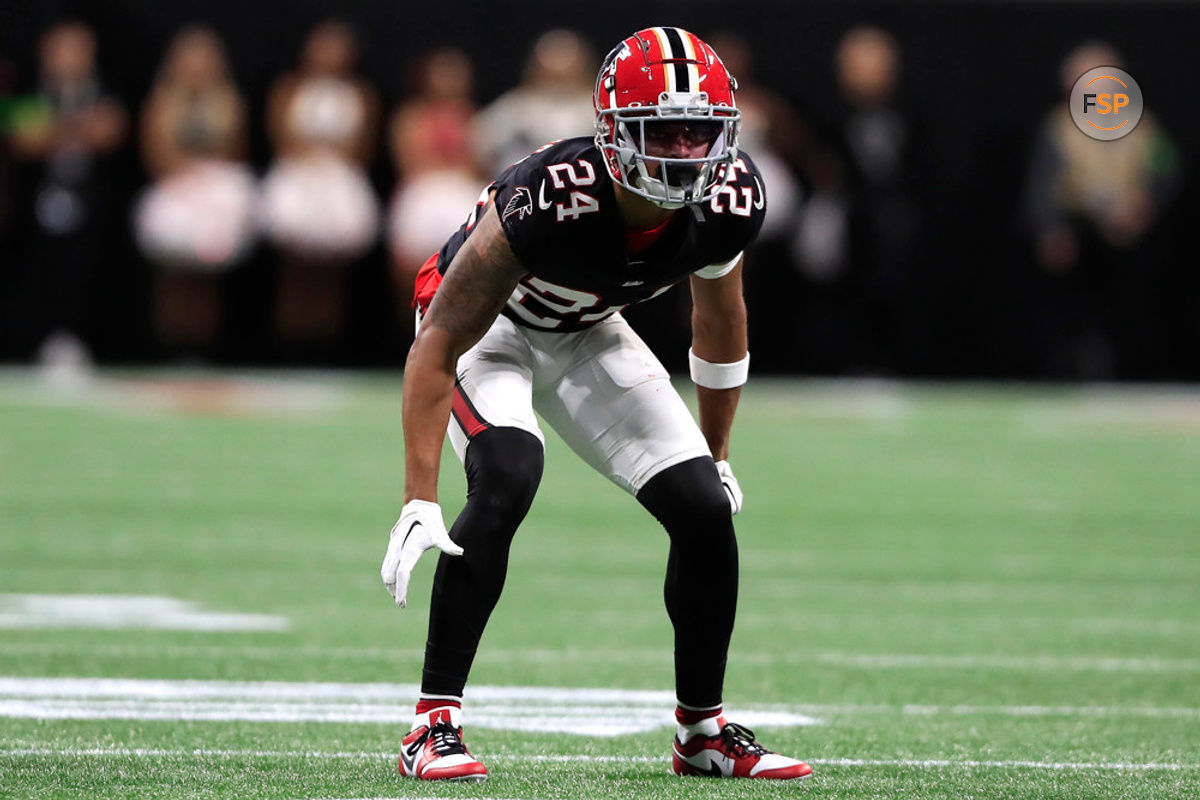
[(596, 712)]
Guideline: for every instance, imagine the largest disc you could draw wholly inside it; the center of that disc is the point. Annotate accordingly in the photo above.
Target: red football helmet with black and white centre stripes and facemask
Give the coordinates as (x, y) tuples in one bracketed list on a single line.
[(661, 85)]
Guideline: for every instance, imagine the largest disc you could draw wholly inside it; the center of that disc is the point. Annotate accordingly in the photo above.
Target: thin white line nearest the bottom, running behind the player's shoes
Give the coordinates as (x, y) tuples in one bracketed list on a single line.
[(919, 763)]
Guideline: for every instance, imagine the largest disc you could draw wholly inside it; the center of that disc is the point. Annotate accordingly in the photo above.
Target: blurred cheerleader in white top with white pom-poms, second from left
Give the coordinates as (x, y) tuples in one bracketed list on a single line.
[(319, 208)]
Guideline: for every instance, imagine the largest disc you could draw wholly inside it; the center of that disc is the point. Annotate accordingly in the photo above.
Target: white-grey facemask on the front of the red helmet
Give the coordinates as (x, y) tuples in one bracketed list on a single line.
[(671, 183)]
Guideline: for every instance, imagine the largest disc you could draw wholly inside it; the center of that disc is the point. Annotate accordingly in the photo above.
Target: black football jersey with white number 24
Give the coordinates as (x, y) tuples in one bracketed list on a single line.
[(561, 216)]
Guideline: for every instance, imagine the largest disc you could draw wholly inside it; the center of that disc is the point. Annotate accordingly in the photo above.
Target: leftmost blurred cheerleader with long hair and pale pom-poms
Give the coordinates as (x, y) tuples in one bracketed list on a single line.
[(199, 218)]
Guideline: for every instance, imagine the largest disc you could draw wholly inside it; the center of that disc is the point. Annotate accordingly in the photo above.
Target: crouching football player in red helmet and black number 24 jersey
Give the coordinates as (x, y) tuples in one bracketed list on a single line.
[(521, 311)]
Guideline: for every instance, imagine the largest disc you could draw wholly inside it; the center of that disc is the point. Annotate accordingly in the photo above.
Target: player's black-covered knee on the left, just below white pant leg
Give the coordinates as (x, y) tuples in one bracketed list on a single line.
[(505, 468)]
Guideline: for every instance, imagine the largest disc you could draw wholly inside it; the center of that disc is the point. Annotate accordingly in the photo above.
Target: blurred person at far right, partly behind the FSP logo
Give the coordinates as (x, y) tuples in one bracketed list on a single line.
[(1093, 208)]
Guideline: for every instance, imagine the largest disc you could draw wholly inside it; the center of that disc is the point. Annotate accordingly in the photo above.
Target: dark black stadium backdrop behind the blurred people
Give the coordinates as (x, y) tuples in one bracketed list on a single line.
[(979, 75)]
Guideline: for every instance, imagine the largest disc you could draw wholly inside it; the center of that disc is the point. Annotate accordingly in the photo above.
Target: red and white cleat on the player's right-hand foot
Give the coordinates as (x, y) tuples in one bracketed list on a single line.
[(734, 753)]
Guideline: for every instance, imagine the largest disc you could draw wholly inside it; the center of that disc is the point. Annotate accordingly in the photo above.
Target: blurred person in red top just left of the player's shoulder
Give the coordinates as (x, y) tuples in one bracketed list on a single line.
[(430, 137)]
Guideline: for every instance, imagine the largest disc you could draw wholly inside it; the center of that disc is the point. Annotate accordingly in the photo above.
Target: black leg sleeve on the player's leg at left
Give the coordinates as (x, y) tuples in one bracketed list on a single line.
[(503, 471)]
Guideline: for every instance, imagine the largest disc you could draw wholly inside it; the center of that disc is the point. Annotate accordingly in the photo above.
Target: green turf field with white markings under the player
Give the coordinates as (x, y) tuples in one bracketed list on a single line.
[(964, 593)]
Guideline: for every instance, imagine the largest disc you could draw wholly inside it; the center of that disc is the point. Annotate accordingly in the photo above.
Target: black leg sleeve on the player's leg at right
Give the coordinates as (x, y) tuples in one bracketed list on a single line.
[(703, 574)]
